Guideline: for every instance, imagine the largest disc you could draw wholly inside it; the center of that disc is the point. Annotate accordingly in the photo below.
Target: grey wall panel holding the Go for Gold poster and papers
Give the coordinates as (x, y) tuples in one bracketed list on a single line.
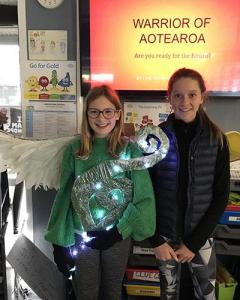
[(48, 69)]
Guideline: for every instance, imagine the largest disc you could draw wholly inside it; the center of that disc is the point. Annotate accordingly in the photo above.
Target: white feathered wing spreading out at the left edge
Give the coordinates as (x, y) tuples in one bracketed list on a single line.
[(37, 162)]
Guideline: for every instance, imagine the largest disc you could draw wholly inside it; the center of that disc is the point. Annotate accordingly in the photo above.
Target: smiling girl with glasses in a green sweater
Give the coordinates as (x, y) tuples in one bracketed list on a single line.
[(101, 261)]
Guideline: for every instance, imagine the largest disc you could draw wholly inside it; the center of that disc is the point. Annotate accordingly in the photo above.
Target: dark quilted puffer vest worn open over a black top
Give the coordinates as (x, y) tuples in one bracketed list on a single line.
[(201, 166)]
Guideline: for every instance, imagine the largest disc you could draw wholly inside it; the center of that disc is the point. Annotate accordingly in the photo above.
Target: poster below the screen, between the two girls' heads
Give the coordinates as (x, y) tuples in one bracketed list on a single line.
[(144, 113)]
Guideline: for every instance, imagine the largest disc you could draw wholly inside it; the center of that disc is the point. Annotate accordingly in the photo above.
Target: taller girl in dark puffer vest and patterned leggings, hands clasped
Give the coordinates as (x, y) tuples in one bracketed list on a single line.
[(191, 188)]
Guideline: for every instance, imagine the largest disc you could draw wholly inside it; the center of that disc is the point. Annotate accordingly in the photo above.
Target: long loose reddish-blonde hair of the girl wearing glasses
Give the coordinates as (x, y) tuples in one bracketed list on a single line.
[(115, 138)]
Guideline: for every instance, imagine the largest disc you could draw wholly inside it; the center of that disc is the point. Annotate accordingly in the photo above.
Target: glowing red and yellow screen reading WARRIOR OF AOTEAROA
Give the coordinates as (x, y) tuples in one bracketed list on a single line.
[(137, 45)]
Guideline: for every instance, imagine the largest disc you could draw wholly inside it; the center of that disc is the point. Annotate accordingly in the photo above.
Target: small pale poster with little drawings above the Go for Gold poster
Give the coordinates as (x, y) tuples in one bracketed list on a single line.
[(47, 44)]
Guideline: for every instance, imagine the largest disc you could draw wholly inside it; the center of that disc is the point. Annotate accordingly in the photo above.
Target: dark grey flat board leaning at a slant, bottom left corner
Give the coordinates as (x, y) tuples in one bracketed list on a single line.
[(37, 270)]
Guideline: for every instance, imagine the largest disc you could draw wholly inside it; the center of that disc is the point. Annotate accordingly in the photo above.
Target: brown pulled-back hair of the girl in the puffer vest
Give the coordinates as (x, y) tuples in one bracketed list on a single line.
[(215, 131)]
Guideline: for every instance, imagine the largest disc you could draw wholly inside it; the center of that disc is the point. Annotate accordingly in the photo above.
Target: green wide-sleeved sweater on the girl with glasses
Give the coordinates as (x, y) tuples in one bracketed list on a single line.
[(138, 219)]
